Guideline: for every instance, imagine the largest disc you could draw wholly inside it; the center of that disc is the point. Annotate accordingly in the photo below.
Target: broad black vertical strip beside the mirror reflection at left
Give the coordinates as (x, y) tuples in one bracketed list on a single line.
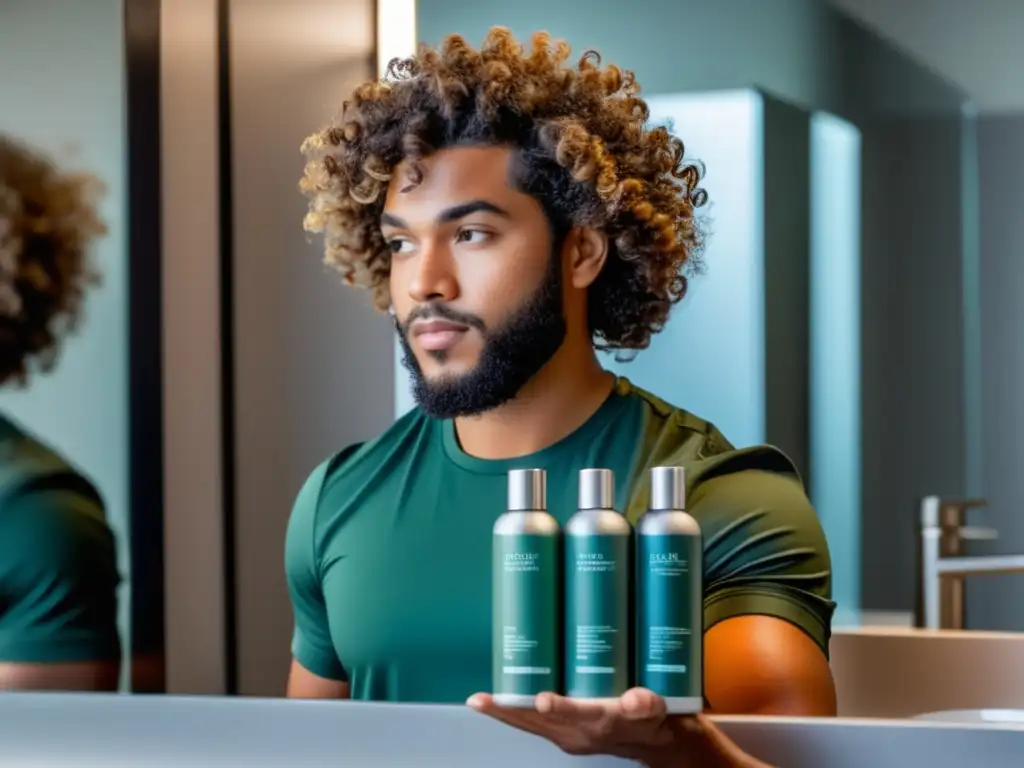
[(146, 443)]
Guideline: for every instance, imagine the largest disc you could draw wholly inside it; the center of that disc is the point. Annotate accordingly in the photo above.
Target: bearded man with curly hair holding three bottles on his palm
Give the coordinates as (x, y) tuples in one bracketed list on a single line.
[(514, 215)]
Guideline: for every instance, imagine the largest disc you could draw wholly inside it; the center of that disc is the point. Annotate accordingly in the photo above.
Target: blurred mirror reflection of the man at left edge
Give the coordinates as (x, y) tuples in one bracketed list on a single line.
[(59, 576)]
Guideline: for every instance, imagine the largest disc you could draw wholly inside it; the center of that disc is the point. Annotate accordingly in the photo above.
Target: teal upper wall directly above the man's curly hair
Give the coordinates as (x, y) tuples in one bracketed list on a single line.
[(788, 48)]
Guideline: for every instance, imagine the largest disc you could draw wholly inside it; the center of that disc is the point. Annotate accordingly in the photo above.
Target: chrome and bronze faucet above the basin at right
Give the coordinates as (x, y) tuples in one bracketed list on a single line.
[(944, 568)]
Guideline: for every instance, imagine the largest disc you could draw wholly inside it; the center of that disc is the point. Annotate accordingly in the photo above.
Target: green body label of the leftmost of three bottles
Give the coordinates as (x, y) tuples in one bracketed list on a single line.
[(527, 638)]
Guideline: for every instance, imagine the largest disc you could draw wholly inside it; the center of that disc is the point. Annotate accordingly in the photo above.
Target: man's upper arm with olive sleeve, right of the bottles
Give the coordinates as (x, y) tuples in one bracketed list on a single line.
[(767, 596)]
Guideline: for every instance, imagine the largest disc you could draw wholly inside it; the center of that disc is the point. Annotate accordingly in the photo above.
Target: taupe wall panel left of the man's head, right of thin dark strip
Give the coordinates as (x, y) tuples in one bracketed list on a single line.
[(314, 363)]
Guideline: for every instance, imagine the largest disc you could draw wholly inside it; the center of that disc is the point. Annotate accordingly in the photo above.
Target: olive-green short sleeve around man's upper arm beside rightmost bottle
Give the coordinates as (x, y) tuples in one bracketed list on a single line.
[(765, 551)]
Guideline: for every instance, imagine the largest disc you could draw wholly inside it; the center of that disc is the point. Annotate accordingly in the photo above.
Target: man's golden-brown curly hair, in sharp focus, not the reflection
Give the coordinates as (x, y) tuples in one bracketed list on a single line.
[(585, 152)]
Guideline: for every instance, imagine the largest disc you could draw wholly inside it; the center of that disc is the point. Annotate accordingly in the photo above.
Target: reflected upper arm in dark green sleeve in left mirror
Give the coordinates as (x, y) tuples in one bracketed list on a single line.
[(59, 582)]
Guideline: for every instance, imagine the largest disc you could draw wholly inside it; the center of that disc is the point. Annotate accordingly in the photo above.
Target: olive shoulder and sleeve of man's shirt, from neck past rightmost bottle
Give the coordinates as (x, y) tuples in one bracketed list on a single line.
[(764, 545)]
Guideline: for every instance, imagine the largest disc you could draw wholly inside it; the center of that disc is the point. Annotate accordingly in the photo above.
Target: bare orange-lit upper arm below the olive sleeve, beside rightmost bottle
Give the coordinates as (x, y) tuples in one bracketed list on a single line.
[(758, 665)]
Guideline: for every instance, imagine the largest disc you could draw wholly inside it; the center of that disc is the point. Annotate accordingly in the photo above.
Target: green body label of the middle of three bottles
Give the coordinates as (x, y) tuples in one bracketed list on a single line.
[(598, 616)]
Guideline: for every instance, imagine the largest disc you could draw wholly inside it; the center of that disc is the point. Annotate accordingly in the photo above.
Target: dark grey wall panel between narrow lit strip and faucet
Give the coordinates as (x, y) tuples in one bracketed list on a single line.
[(914, 350)]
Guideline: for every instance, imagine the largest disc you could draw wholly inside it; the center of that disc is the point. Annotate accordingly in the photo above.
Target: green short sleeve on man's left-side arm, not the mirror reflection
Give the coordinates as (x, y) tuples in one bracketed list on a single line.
[(312, 645)]
